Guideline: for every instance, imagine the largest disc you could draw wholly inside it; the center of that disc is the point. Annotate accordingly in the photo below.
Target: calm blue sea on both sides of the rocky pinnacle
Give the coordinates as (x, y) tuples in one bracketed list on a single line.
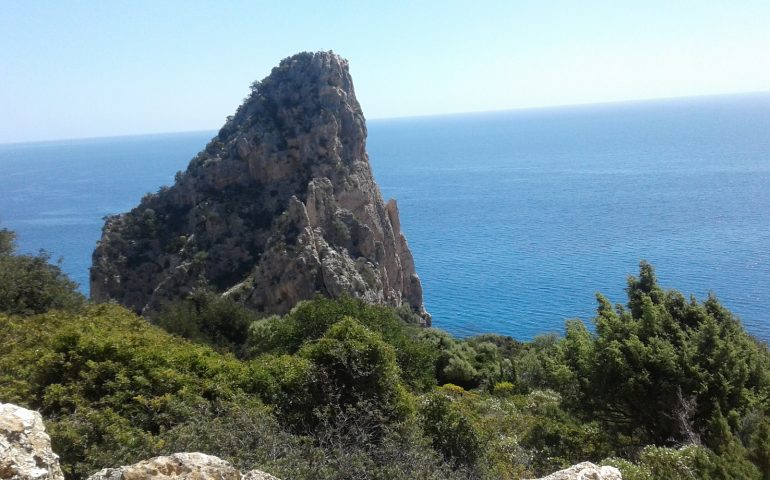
[(515, 219)]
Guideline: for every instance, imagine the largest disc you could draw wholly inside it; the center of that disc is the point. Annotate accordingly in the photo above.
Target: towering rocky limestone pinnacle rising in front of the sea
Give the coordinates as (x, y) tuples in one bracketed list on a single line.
[(279, 205)]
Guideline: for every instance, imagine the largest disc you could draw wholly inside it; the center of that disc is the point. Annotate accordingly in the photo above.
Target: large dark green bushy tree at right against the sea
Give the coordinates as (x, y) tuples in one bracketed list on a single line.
[(663, 368)]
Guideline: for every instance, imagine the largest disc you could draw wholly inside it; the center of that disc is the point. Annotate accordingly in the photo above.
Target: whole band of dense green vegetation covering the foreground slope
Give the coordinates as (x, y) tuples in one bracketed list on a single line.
[(662, 387)]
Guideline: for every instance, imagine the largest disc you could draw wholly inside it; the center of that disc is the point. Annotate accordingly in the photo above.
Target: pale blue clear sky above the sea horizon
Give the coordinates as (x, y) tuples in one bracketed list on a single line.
[(71, 69)]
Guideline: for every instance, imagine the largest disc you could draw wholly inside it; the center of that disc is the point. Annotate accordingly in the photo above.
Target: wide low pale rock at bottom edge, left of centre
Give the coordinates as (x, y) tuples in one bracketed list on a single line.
[(180, 466)]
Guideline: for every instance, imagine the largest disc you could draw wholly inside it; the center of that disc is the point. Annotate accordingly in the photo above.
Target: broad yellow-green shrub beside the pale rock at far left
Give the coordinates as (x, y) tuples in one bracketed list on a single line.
[(109, 383)]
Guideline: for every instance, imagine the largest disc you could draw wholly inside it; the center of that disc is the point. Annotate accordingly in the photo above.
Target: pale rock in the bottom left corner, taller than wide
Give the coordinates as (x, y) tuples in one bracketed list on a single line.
[(25, 448)]
